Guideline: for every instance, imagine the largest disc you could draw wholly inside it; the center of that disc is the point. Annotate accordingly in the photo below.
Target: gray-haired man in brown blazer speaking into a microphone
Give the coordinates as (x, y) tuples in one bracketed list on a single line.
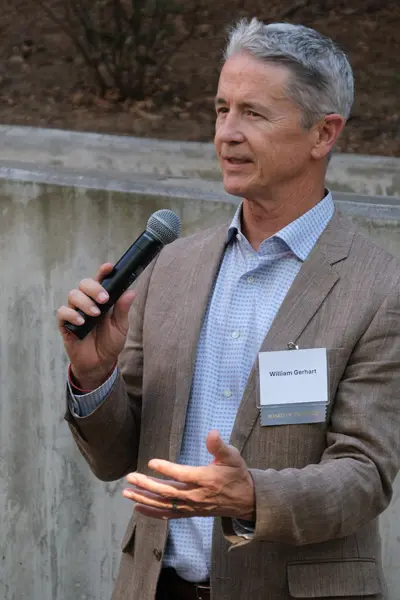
[(297, 503)]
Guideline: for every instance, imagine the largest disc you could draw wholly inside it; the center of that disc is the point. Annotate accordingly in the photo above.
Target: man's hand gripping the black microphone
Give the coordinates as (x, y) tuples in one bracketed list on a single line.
[(93, 358)]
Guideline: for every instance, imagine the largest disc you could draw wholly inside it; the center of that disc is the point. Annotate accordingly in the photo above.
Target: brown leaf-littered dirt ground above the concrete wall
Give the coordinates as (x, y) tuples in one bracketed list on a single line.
[(45, 83)]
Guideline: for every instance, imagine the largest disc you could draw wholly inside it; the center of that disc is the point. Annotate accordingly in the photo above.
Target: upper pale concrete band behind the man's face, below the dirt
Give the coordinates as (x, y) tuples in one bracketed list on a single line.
[(130, 157)]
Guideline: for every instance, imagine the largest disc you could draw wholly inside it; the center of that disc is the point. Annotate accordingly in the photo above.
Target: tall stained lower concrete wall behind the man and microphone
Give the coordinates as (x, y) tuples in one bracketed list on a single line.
[(60, 528)]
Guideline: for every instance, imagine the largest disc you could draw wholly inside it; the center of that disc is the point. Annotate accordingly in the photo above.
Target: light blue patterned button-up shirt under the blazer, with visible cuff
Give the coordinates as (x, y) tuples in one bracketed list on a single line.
[(247, 295)]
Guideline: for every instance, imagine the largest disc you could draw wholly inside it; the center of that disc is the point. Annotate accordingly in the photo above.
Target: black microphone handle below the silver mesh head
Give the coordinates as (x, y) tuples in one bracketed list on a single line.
[(124, 273)]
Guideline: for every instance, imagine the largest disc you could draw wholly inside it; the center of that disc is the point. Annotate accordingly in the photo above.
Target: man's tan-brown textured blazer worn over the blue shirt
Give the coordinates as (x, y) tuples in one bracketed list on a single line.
[(319, 487)]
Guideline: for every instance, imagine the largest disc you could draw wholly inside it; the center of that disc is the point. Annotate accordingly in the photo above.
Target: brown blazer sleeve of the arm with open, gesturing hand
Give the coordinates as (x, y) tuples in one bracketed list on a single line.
[(352, 484)]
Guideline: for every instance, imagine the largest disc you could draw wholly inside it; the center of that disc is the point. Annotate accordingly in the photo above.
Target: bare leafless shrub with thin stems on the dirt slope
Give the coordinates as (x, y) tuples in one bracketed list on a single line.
[(126, 50)]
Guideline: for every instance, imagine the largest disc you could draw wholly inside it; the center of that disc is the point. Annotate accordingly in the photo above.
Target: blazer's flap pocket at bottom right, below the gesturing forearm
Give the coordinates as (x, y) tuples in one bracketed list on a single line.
[(334, 579)]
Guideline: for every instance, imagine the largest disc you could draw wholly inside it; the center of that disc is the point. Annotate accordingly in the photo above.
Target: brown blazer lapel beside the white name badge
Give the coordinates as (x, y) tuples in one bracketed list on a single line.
[(310, 288)]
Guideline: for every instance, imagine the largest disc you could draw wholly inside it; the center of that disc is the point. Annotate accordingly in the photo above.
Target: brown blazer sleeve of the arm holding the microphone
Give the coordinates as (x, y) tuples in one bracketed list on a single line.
[(108, 438)]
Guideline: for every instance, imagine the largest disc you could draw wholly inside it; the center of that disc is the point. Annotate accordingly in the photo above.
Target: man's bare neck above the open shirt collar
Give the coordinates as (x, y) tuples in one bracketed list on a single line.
[(263, 217)]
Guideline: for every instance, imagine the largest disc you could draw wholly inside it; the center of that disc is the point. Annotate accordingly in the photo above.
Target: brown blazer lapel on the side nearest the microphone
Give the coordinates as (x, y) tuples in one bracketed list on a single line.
[(198, 272)]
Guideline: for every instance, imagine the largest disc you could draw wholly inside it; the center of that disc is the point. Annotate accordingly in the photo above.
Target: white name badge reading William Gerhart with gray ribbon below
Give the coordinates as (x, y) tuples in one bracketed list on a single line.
[(293, 386)]
